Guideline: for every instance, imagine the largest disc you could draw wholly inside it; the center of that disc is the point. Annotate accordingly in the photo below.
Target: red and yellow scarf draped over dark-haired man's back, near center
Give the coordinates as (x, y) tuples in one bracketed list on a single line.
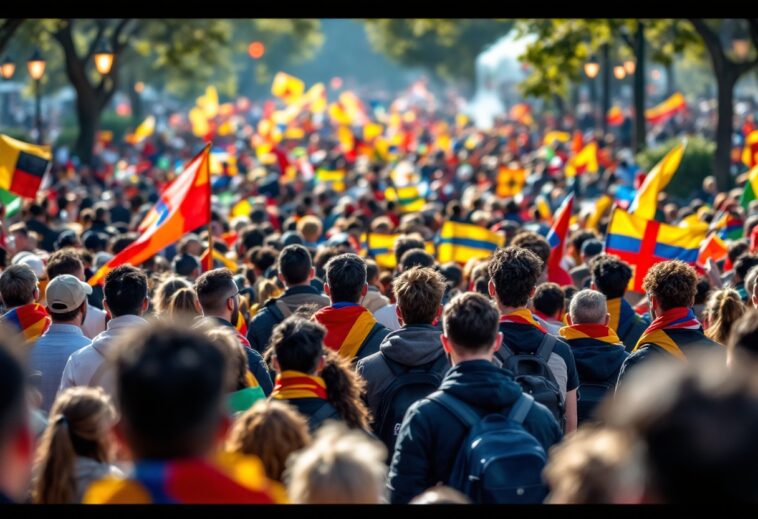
[(347, 326)]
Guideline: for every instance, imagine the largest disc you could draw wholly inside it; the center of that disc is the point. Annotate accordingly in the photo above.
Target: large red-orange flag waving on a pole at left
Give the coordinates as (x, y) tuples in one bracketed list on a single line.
[(183, 207)]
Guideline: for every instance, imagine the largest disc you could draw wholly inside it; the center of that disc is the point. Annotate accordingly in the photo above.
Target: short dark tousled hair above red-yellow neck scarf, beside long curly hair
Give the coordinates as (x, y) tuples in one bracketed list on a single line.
[(298, 343)]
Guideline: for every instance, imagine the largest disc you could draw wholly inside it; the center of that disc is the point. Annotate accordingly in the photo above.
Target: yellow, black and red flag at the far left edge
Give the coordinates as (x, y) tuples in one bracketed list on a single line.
[(22, 166)]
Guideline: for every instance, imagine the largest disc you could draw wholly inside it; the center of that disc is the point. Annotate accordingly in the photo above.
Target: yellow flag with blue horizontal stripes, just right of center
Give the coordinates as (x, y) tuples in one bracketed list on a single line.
[(460, 242)]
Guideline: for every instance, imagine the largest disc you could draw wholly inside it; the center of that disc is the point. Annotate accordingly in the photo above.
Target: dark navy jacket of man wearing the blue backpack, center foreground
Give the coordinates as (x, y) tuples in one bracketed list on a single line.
[(430, 436)]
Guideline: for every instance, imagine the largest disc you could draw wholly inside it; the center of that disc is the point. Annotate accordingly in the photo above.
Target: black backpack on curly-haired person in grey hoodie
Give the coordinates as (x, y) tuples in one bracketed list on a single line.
[(409, 385)]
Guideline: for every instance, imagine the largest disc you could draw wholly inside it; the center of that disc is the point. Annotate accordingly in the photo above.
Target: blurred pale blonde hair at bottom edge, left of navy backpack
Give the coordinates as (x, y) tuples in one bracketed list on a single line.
[(341, 466)]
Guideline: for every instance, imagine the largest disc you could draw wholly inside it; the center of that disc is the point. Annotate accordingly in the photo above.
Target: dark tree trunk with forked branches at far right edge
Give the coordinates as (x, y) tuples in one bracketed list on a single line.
[(727, 71)]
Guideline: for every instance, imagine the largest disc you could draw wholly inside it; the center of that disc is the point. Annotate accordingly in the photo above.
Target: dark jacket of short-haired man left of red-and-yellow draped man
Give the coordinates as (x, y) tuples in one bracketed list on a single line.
[(276, 310)]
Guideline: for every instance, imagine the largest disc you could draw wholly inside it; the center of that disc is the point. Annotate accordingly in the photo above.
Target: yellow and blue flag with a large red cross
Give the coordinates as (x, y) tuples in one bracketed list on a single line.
[(643, 243)]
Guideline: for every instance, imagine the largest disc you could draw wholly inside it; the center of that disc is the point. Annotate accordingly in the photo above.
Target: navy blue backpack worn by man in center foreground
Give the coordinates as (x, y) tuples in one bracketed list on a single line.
[(499, 461)]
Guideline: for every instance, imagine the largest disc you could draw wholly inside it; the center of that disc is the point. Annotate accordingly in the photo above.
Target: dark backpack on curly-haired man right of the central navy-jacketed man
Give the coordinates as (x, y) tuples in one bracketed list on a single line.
[(534, 376)]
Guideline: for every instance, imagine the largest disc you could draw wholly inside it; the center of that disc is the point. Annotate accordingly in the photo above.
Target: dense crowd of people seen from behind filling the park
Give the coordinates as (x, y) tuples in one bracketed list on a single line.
[(304, 368)]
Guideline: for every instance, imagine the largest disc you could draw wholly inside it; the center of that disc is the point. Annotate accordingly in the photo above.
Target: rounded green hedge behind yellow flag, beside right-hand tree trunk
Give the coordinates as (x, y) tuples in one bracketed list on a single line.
[(697, 164)]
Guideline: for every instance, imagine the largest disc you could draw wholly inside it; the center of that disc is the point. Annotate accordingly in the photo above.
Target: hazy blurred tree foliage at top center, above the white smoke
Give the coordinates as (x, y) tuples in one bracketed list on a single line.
[(446, 47)]
